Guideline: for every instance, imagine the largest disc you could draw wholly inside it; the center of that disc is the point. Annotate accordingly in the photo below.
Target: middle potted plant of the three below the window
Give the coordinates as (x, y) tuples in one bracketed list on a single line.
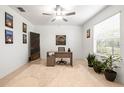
[(97, 66)]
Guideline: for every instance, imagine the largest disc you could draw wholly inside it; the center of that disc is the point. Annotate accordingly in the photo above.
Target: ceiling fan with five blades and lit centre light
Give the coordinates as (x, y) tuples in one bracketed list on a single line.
[(59, 13)]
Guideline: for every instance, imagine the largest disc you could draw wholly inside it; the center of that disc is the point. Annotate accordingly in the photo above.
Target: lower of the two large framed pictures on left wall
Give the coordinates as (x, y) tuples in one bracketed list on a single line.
[(8, 37)]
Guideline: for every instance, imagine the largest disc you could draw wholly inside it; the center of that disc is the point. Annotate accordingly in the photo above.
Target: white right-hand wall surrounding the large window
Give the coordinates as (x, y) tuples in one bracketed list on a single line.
[(88, 43)]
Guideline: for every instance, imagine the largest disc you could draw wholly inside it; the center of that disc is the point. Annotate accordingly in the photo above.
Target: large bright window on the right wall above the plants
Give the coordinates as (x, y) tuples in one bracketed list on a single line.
[(107, 36)]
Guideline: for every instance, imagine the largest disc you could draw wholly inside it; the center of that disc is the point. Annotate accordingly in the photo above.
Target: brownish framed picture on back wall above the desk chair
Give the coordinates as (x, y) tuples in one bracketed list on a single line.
[(60, 39)]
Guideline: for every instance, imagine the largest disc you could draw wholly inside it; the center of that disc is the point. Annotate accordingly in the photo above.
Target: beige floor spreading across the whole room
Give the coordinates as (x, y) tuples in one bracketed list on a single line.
[(37, 74)]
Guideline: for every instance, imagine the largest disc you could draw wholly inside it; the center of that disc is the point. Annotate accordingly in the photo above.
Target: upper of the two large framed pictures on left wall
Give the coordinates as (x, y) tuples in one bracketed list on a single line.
[(8, 20)]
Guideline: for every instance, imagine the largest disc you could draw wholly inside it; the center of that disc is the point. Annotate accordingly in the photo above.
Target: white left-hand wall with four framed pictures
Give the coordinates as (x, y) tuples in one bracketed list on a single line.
[(12, 56)]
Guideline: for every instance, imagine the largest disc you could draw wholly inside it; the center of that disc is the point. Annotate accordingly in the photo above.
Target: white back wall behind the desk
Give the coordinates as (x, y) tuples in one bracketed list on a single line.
[(48, 39)]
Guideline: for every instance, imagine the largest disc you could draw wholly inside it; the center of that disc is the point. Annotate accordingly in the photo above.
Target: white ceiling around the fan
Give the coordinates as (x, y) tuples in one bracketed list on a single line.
[(34, 14)]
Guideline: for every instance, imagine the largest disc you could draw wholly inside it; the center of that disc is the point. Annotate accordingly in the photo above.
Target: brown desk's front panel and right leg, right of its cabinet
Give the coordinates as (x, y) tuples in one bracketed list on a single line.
[(65, 55)]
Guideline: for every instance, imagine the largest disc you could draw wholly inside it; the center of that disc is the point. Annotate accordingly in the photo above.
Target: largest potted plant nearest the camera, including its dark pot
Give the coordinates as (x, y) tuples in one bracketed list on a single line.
[(109, 73)]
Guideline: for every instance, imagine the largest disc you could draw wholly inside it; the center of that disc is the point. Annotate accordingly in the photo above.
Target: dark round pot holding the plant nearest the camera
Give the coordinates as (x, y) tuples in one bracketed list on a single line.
[(110, 74)]
